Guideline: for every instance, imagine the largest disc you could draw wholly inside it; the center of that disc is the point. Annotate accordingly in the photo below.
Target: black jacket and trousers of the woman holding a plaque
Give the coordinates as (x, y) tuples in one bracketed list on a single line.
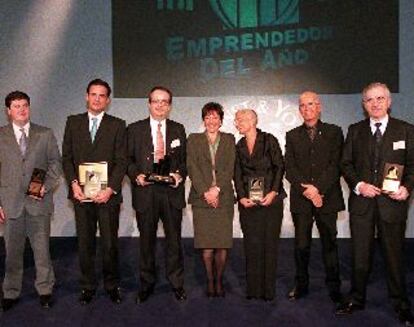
[(260, 225)]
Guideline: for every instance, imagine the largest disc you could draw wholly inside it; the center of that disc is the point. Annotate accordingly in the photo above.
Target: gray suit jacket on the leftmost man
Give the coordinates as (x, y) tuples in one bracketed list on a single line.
[(16, 171)]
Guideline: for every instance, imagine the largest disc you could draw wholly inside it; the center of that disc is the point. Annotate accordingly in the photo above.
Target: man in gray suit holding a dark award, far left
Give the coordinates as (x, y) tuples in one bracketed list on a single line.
[(25, 146)]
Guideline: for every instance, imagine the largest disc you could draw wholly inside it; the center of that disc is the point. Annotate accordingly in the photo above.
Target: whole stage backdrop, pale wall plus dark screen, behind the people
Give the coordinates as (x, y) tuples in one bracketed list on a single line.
[(51, 49)]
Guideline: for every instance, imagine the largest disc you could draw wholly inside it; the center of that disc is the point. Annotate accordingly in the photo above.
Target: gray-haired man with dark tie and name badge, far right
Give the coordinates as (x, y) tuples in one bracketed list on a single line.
[(369, 145)]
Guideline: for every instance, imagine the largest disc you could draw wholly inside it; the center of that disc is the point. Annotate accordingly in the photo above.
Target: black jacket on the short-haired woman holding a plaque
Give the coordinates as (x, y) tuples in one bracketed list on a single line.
[(266, 161)]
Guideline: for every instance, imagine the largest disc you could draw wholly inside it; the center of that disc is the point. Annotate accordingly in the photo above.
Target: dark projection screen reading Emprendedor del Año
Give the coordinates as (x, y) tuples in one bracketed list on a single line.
[(254, 47)]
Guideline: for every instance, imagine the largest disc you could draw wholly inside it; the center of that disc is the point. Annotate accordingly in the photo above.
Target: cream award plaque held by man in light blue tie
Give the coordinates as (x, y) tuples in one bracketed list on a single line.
[(93, 177)]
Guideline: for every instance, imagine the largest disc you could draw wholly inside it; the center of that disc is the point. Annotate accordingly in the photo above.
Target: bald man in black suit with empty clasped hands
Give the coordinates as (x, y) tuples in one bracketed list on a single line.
[(313, 152)]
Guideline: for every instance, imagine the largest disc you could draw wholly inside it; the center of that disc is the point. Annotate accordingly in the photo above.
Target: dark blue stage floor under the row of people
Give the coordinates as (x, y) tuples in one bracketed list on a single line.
[(234, 310)]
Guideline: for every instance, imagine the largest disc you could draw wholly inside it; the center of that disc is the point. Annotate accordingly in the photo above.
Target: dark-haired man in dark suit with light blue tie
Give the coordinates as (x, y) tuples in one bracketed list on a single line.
[(95, 136)]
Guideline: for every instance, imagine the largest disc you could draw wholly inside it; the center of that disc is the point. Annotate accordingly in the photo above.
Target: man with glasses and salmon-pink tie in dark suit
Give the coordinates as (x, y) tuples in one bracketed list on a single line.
[(154, 140)]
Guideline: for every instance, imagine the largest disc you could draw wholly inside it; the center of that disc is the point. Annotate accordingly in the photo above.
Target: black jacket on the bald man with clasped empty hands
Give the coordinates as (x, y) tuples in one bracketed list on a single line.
[(316, 163)]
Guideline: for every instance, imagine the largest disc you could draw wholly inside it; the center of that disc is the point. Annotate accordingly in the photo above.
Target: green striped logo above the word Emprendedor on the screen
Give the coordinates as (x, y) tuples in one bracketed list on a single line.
[(254, 13)]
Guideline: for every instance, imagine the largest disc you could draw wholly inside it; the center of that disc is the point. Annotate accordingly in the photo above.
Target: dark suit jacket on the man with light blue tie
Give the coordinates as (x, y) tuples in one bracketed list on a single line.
[(109, 145)]
